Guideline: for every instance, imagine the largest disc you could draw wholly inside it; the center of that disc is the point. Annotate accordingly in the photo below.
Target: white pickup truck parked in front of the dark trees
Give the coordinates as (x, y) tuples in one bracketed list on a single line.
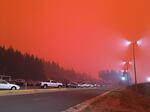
[(51, 83)]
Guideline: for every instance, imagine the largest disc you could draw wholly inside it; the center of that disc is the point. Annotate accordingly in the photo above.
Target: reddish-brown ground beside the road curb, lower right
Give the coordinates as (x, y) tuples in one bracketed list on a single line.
[(121, 101)]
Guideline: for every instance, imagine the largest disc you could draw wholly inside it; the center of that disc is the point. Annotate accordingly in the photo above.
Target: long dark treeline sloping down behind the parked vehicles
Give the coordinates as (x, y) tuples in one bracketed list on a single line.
[(29, 67)]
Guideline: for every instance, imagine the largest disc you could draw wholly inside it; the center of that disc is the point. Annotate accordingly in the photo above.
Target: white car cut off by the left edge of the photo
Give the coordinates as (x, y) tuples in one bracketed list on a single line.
[(5, 85)]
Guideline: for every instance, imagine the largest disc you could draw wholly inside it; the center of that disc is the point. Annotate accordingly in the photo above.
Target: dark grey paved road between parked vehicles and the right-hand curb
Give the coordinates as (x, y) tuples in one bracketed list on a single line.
[(46, 102)]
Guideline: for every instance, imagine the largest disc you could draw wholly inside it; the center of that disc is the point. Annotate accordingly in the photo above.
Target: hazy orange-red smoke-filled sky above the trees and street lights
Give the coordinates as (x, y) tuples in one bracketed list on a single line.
[(88, 35)]
